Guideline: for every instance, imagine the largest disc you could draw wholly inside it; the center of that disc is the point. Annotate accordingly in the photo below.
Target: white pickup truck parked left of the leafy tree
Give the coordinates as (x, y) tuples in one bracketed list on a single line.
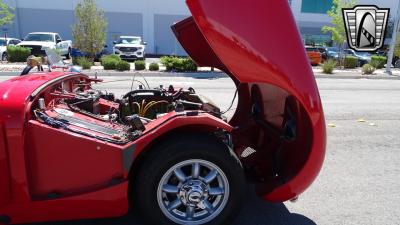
[(38, 41)]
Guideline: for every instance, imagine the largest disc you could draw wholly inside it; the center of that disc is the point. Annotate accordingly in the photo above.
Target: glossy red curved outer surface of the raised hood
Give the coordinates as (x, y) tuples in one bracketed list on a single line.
[(252, 41)]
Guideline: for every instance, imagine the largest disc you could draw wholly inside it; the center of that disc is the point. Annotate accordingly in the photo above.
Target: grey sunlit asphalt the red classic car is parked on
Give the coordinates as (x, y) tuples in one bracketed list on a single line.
[(359, 183)]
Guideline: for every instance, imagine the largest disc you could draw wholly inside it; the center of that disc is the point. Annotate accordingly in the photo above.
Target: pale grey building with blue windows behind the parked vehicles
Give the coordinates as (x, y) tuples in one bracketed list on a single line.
[(150, 18)]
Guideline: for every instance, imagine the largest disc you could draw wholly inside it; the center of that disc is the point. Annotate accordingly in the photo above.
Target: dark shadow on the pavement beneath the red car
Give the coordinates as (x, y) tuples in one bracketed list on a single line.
[(255, 212)]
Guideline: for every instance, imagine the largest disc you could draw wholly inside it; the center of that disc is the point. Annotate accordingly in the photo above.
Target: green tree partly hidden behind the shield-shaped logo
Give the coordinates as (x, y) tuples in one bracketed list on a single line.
[(338, 30)]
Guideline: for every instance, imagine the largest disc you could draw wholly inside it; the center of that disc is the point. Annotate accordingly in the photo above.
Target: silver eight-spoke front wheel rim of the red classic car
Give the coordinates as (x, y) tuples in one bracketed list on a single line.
[(193, 192)]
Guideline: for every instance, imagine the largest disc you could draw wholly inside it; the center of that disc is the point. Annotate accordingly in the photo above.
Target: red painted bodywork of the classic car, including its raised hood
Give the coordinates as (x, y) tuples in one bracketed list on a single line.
[(48, 174)]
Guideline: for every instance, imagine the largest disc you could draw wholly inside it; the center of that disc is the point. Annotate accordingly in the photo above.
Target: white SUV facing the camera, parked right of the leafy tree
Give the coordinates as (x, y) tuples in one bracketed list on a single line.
[(130, 48)]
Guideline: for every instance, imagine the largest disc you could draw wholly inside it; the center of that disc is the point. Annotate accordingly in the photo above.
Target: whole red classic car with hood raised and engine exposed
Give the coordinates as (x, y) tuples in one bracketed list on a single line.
[(69, 151)]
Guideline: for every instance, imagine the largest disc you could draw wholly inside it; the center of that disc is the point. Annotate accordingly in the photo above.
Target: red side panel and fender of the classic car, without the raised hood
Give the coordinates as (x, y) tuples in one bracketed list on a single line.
[(84, 174)]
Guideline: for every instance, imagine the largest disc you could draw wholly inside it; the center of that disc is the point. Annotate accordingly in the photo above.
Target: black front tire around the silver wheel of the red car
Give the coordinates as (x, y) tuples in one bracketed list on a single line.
[(175, 151)]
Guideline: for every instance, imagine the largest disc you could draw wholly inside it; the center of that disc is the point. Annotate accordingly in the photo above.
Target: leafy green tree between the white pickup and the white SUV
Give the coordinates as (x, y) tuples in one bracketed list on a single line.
[(90, 28)]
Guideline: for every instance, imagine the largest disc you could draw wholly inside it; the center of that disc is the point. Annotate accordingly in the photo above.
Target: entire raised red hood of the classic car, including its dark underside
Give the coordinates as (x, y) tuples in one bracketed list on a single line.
[(258, 45)]
